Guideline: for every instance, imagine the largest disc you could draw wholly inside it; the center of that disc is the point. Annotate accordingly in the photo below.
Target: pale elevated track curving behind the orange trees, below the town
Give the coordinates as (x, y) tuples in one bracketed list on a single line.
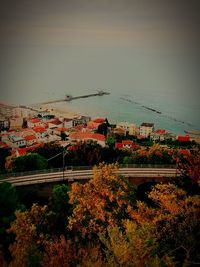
[(78, 175)]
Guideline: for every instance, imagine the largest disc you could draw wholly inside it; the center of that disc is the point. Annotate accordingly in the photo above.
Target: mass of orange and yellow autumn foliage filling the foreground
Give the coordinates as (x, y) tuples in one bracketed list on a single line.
[(108, 226)]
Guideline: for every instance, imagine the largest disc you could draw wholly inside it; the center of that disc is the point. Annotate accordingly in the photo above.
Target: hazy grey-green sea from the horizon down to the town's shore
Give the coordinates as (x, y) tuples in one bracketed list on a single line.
[(144, 86)]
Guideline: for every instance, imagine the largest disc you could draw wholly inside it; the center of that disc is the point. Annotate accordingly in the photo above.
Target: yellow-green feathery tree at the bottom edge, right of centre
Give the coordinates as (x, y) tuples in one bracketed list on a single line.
[(135, 246)]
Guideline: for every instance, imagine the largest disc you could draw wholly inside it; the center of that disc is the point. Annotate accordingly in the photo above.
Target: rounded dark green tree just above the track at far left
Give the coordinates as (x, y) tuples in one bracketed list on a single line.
[(29, 162)]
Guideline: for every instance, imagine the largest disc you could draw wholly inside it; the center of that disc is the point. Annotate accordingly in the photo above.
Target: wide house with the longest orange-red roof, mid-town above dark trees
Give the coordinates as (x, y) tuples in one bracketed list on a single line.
[(81, 136)]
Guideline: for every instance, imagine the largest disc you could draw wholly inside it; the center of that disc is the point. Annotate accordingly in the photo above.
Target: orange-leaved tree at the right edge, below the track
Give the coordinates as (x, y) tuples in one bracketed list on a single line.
[(176, 217)]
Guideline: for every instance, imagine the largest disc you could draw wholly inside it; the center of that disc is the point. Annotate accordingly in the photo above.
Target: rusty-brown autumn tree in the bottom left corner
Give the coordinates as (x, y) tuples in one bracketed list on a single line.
[(32, 230)]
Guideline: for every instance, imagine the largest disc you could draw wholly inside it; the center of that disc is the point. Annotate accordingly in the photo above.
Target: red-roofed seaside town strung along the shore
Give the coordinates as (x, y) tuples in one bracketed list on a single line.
[(25, 129)]
